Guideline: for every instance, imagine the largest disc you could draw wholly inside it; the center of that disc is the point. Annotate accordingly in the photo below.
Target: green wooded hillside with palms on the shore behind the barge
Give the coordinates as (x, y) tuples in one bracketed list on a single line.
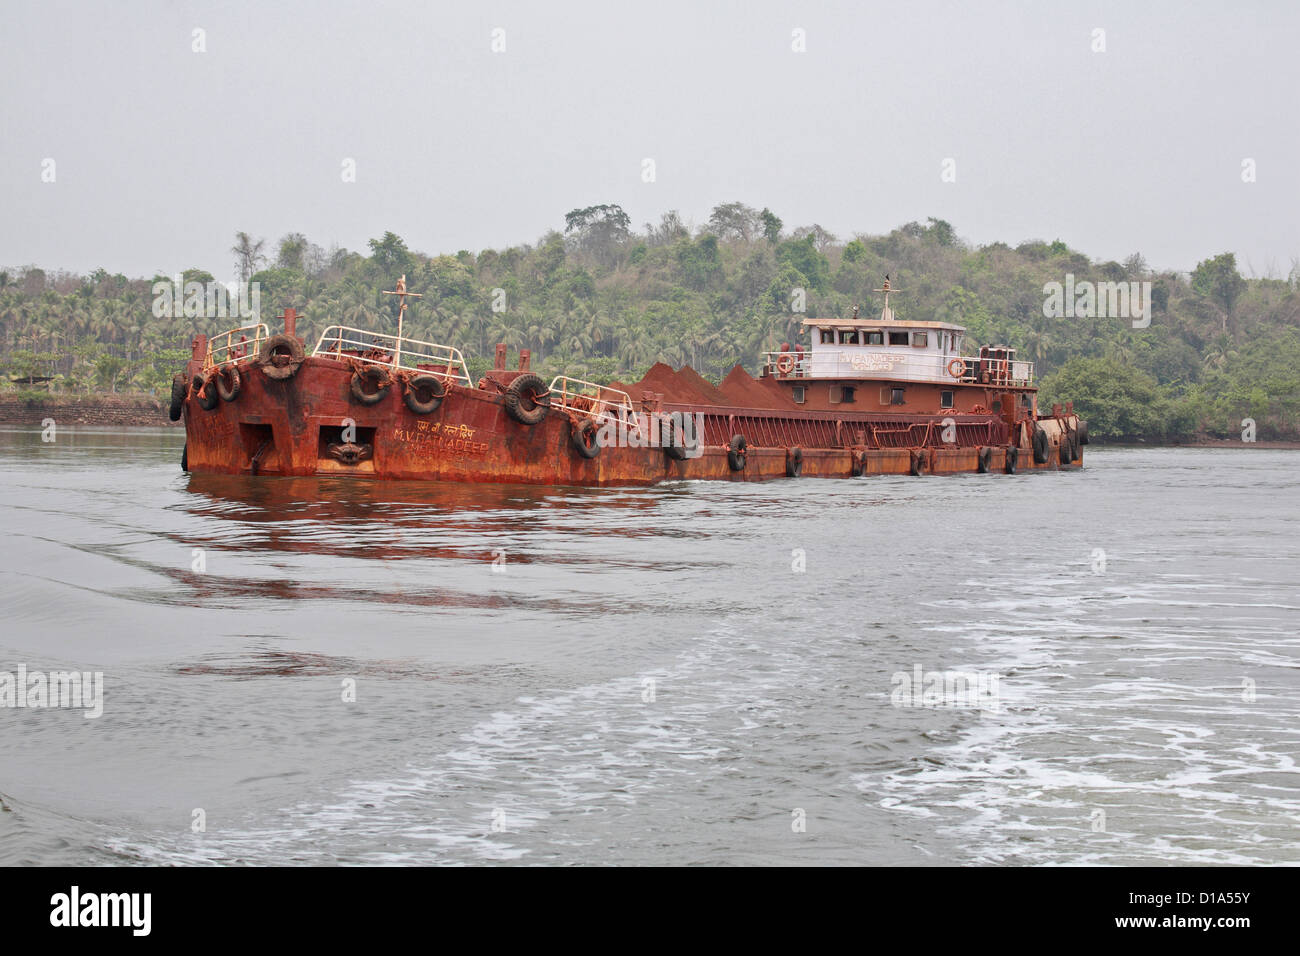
[(600, 300)]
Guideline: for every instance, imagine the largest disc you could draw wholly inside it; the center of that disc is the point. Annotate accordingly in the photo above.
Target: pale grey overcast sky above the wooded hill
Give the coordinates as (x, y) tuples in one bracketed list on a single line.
[(162, 154)]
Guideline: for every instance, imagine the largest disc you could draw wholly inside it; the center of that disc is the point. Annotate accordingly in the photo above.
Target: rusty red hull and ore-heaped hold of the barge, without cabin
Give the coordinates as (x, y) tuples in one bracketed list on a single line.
[(313, 423)]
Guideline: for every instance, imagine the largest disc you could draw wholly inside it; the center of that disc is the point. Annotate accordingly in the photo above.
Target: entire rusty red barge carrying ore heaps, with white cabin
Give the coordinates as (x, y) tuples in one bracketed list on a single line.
[(865, 397)]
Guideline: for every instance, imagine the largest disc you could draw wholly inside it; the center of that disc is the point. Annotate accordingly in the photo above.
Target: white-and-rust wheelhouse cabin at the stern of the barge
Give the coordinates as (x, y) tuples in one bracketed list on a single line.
[(915, 367)]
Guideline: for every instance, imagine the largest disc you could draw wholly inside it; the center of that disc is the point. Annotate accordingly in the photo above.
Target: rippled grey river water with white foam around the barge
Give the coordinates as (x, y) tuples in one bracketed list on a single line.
[(318, 672)]
